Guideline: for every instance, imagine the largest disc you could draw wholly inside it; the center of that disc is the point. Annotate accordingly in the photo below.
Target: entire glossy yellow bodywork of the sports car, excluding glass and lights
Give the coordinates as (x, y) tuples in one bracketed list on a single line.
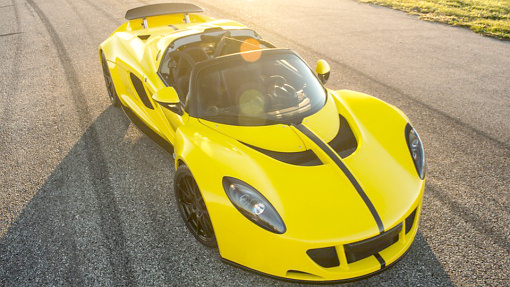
[(319, 204)]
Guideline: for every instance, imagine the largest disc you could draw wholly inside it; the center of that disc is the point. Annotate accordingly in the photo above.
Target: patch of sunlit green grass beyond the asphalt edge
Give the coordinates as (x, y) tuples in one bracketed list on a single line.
[(487, 17)]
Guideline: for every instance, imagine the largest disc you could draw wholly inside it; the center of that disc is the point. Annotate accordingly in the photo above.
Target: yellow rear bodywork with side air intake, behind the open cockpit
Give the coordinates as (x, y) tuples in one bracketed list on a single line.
[(127, 53)]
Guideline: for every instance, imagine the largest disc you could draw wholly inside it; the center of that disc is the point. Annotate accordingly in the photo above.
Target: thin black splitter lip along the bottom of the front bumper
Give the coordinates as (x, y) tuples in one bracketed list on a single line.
[(386, 267)]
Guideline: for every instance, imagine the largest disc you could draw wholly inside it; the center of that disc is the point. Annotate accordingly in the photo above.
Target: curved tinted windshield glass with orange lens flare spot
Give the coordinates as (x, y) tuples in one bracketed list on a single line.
[(259, 89)]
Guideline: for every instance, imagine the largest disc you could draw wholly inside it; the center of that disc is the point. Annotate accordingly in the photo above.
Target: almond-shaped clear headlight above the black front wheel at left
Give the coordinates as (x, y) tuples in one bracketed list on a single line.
[(253, 205)]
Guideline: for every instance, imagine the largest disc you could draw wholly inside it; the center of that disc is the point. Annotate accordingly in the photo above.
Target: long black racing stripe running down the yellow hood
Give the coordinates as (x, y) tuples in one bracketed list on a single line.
[(346, 171)]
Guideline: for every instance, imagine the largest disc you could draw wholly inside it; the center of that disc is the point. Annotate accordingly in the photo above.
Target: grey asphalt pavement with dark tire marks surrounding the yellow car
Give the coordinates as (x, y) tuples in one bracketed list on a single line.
[(86, 199)]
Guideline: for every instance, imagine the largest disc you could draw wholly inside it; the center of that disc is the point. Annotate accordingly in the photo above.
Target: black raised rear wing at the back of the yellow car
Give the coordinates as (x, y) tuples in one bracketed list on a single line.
[(162, 9)]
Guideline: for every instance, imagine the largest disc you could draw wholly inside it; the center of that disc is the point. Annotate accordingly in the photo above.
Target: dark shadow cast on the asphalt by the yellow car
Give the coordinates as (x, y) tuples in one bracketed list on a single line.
[(107, 216)]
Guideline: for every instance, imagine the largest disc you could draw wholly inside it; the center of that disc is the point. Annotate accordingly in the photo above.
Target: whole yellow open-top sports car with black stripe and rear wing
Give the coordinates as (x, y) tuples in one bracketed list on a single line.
[(284, 176)]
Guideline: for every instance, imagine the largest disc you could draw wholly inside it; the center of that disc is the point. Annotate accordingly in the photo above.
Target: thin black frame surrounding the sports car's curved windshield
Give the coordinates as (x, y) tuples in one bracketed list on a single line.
[(192, 102)]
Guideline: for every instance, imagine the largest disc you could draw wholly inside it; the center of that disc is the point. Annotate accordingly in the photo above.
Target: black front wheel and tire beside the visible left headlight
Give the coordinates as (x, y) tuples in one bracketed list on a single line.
[(192, 207)]
